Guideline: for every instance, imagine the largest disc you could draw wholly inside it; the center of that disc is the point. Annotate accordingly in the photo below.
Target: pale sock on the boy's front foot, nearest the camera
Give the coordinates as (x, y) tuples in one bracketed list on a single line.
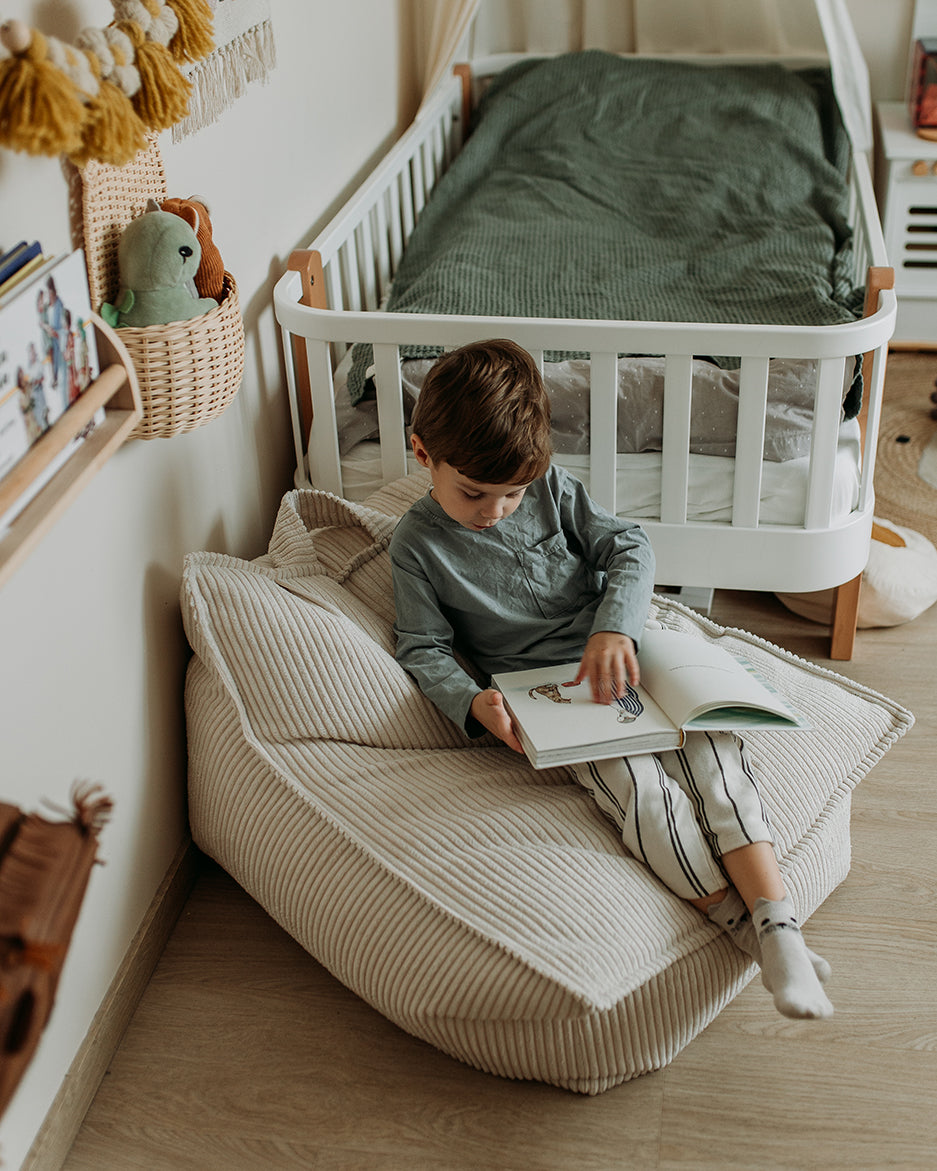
[(788, 971)]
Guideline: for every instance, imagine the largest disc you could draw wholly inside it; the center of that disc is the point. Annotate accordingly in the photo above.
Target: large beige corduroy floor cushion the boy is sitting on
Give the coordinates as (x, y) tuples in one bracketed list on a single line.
[(482, 906)]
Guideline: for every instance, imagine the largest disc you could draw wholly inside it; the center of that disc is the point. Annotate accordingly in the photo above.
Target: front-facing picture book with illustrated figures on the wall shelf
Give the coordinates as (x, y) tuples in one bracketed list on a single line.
[(49, 353)]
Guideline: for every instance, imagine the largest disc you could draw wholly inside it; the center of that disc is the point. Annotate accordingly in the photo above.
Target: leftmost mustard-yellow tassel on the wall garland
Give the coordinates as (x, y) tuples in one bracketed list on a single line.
[(40, 112)]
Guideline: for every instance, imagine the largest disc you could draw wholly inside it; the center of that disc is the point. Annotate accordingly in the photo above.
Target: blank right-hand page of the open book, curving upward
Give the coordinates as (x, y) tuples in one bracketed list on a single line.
[(690, 677)]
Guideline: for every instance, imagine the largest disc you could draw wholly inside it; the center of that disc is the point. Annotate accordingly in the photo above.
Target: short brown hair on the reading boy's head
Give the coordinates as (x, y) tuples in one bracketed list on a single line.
[(484, 410)]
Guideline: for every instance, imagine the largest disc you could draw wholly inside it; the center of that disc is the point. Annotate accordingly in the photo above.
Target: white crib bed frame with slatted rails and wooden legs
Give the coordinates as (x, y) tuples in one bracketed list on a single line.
[(331, 298)]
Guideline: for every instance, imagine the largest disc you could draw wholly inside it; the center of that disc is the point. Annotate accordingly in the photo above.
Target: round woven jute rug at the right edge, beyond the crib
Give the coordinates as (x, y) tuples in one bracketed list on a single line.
[(906, 433)]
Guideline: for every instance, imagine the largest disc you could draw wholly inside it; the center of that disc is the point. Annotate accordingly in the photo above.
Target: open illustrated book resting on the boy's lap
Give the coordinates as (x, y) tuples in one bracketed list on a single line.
[(687, 684)]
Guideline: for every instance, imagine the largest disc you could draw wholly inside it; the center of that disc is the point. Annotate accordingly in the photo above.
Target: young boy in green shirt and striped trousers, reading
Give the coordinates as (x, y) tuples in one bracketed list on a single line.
[(509, 561)]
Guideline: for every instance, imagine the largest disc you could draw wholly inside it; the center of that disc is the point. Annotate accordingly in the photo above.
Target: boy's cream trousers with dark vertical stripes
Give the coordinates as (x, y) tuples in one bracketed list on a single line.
[(680, 812)]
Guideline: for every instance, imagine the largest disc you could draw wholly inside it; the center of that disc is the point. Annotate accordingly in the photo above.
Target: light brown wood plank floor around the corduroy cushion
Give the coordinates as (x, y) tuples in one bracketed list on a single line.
[(245, 1056)]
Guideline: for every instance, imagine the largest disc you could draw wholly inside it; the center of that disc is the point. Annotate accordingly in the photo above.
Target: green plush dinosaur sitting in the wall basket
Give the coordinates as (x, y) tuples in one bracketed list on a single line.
[(159, 256)]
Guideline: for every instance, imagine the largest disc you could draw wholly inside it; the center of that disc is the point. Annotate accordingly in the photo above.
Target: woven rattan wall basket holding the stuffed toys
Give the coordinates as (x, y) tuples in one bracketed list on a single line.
[(189, 371)]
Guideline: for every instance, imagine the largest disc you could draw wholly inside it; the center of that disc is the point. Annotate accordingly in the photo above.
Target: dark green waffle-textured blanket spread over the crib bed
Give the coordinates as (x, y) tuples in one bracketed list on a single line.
[(606, 188)]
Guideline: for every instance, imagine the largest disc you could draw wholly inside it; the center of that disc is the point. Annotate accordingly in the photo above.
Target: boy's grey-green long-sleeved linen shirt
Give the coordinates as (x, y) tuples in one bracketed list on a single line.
[(526, 593)]
